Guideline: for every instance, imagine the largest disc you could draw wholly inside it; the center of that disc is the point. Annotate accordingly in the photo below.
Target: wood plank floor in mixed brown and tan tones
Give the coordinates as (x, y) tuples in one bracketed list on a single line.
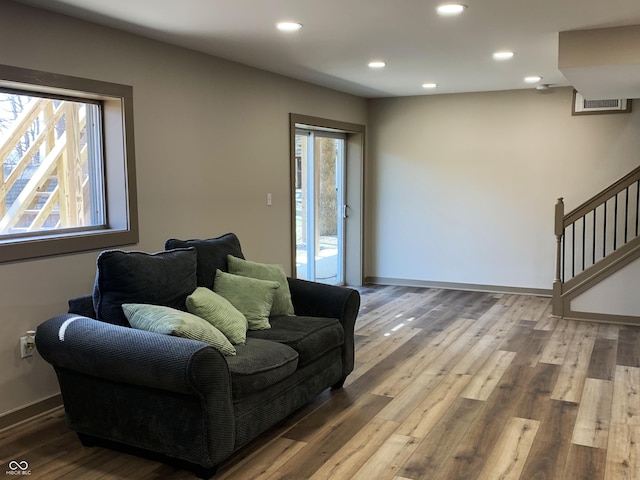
[(447, 385)]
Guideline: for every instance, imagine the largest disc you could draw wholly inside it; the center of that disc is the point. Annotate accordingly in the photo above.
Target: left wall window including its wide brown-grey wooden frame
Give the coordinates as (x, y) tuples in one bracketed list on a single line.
[(67, 158)]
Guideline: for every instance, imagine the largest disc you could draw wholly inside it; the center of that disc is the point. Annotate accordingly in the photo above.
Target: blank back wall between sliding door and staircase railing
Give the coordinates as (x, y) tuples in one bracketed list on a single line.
[(461, 188)]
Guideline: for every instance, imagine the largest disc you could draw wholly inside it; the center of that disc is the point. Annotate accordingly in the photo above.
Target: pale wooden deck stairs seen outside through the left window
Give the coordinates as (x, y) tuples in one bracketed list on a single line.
[(45, 173)]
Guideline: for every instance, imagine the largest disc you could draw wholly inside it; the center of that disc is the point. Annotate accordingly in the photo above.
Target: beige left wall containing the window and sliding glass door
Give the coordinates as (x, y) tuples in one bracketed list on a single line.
[(211, 141)]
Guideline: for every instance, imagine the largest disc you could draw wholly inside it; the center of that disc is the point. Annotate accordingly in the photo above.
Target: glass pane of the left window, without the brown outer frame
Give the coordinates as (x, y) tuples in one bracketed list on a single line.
[(52, 160)]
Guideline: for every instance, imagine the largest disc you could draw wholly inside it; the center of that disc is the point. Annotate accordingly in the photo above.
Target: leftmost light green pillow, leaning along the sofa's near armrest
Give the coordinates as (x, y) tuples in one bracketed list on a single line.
[(169, 321)]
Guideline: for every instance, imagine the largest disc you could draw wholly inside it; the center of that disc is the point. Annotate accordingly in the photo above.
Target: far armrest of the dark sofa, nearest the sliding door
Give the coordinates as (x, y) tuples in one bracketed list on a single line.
[(315, 299)]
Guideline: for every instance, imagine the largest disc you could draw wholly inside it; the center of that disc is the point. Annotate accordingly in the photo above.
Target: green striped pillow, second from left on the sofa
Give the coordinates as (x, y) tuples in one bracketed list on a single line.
[(220, 313)]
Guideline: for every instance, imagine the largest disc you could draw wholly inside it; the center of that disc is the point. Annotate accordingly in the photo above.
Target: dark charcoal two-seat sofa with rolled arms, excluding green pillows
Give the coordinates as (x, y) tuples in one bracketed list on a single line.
[(180, 400)]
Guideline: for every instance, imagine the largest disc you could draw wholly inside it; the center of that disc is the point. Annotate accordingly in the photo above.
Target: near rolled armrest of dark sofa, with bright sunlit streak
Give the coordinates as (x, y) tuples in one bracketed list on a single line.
[(139, 389)]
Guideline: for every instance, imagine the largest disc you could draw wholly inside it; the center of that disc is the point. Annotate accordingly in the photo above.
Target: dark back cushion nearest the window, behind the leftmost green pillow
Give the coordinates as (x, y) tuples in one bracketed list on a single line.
[(164, 278)]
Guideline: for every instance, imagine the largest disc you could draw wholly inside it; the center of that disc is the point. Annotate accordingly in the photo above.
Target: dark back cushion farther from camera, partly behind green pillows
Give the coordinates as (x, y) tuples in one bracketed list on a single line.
[(212, 255)]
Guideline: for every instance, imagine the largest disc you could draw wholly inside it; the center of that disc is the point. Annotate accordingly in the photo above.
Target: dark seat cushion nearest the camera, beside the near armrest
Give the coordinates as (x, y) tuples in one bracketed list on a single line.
[(260, 364)]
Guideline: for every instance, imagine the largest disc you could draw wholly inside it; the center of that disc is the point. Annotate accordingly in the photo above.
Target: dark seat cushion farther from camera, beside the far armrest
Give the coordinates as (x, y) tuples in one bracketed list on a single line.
[(311, 337)]
